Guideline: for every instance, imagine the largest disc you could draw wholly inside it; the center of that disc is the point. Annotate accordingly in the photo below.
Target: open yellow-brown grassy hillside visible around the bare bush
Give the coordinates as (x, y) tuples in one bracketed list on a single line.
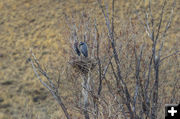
[(40, 25)]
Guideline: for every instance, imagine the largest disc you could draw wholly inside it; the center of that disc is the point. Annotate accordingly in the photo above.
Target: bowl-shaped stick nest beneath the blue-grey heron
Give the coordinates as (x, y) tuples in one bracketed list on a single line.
[(82, 65)]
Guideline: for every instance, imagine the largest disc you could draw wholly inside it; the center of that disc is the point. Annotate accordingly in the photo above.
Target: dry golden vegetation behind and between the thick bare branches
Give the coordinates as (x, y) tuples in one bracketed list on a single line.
[(46, 27)]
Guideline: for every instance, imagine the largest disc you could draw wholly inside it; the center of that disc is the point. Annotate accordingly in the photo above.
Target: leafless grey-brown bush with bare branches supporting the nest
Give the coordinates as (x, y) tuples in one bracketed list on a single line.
[(122, 76)]
